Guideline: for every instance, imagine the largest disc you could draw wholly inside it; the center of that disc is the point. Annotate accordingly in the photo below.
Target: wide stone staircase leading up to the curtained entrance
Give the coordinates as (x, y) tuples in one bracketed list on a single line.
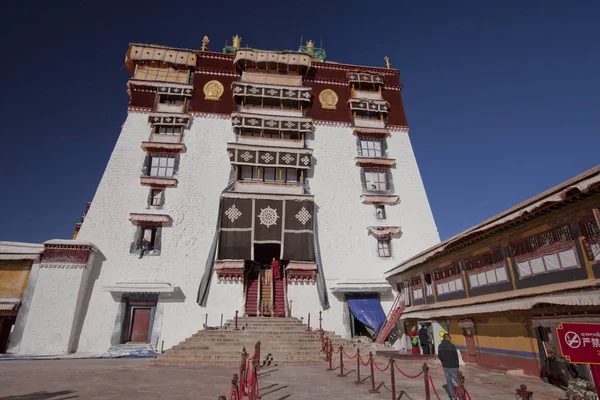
[(284, 341)]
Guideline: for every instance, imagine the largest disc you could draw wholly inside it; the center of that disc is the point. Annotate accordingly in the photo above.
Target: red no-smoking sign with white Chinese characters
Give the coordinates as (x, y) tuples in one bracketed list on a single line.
[(579, 343)]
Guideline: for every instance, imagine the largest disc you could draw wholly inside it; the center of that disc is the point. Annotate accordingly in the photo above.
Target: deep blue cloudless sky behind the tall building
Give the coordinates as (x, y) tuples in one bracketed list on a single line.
[(502, 98)]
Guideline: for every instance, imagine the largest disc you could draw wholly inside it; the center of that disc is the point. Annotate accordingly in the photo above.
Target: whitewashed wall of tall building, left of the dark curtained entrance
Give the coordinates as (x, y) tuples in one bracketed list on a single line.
[(193, 206)]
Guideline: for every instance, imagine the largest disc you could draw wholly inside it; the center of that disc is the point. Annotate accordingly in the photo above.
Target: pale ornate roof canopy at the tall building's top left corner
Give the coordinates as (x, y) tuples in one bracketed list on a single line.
[(141, 52)]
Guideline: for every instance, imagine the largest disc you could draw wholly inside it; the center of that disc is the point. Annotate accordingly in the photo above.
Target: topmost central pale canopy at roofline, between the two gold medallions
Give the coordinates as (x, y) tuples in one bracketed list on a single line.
[(280, 60)]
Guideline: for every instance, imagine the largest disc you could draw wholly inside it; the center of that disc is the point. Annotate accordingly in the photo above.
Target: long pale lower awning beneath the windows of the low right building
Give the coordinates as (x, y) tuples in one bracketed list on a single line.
[(571, 299)]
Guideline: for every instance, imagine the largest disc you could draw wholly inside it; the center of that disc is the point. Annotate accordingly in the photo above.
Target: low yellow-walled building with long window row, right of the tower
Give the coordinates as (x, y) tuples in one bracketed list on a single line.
[(502, 288)]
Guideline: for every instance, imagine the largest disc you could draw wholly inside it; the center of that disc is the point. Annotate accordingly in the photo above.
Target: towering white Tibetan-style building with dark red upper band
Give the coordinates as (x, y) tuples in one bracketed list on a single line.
[(231, 164)]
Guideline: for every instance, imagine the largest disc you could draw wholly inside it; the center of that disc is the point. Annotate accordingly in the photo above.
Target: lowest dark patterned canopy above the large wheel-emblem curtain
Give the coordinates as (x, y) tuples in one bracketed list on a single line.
[(269, 156)]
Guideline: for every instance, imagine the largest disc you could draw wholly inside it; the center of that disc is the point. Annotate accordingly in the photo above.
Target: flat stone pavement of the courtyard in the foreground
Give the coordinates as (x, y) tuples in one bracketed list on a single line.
[(134, 379)]
